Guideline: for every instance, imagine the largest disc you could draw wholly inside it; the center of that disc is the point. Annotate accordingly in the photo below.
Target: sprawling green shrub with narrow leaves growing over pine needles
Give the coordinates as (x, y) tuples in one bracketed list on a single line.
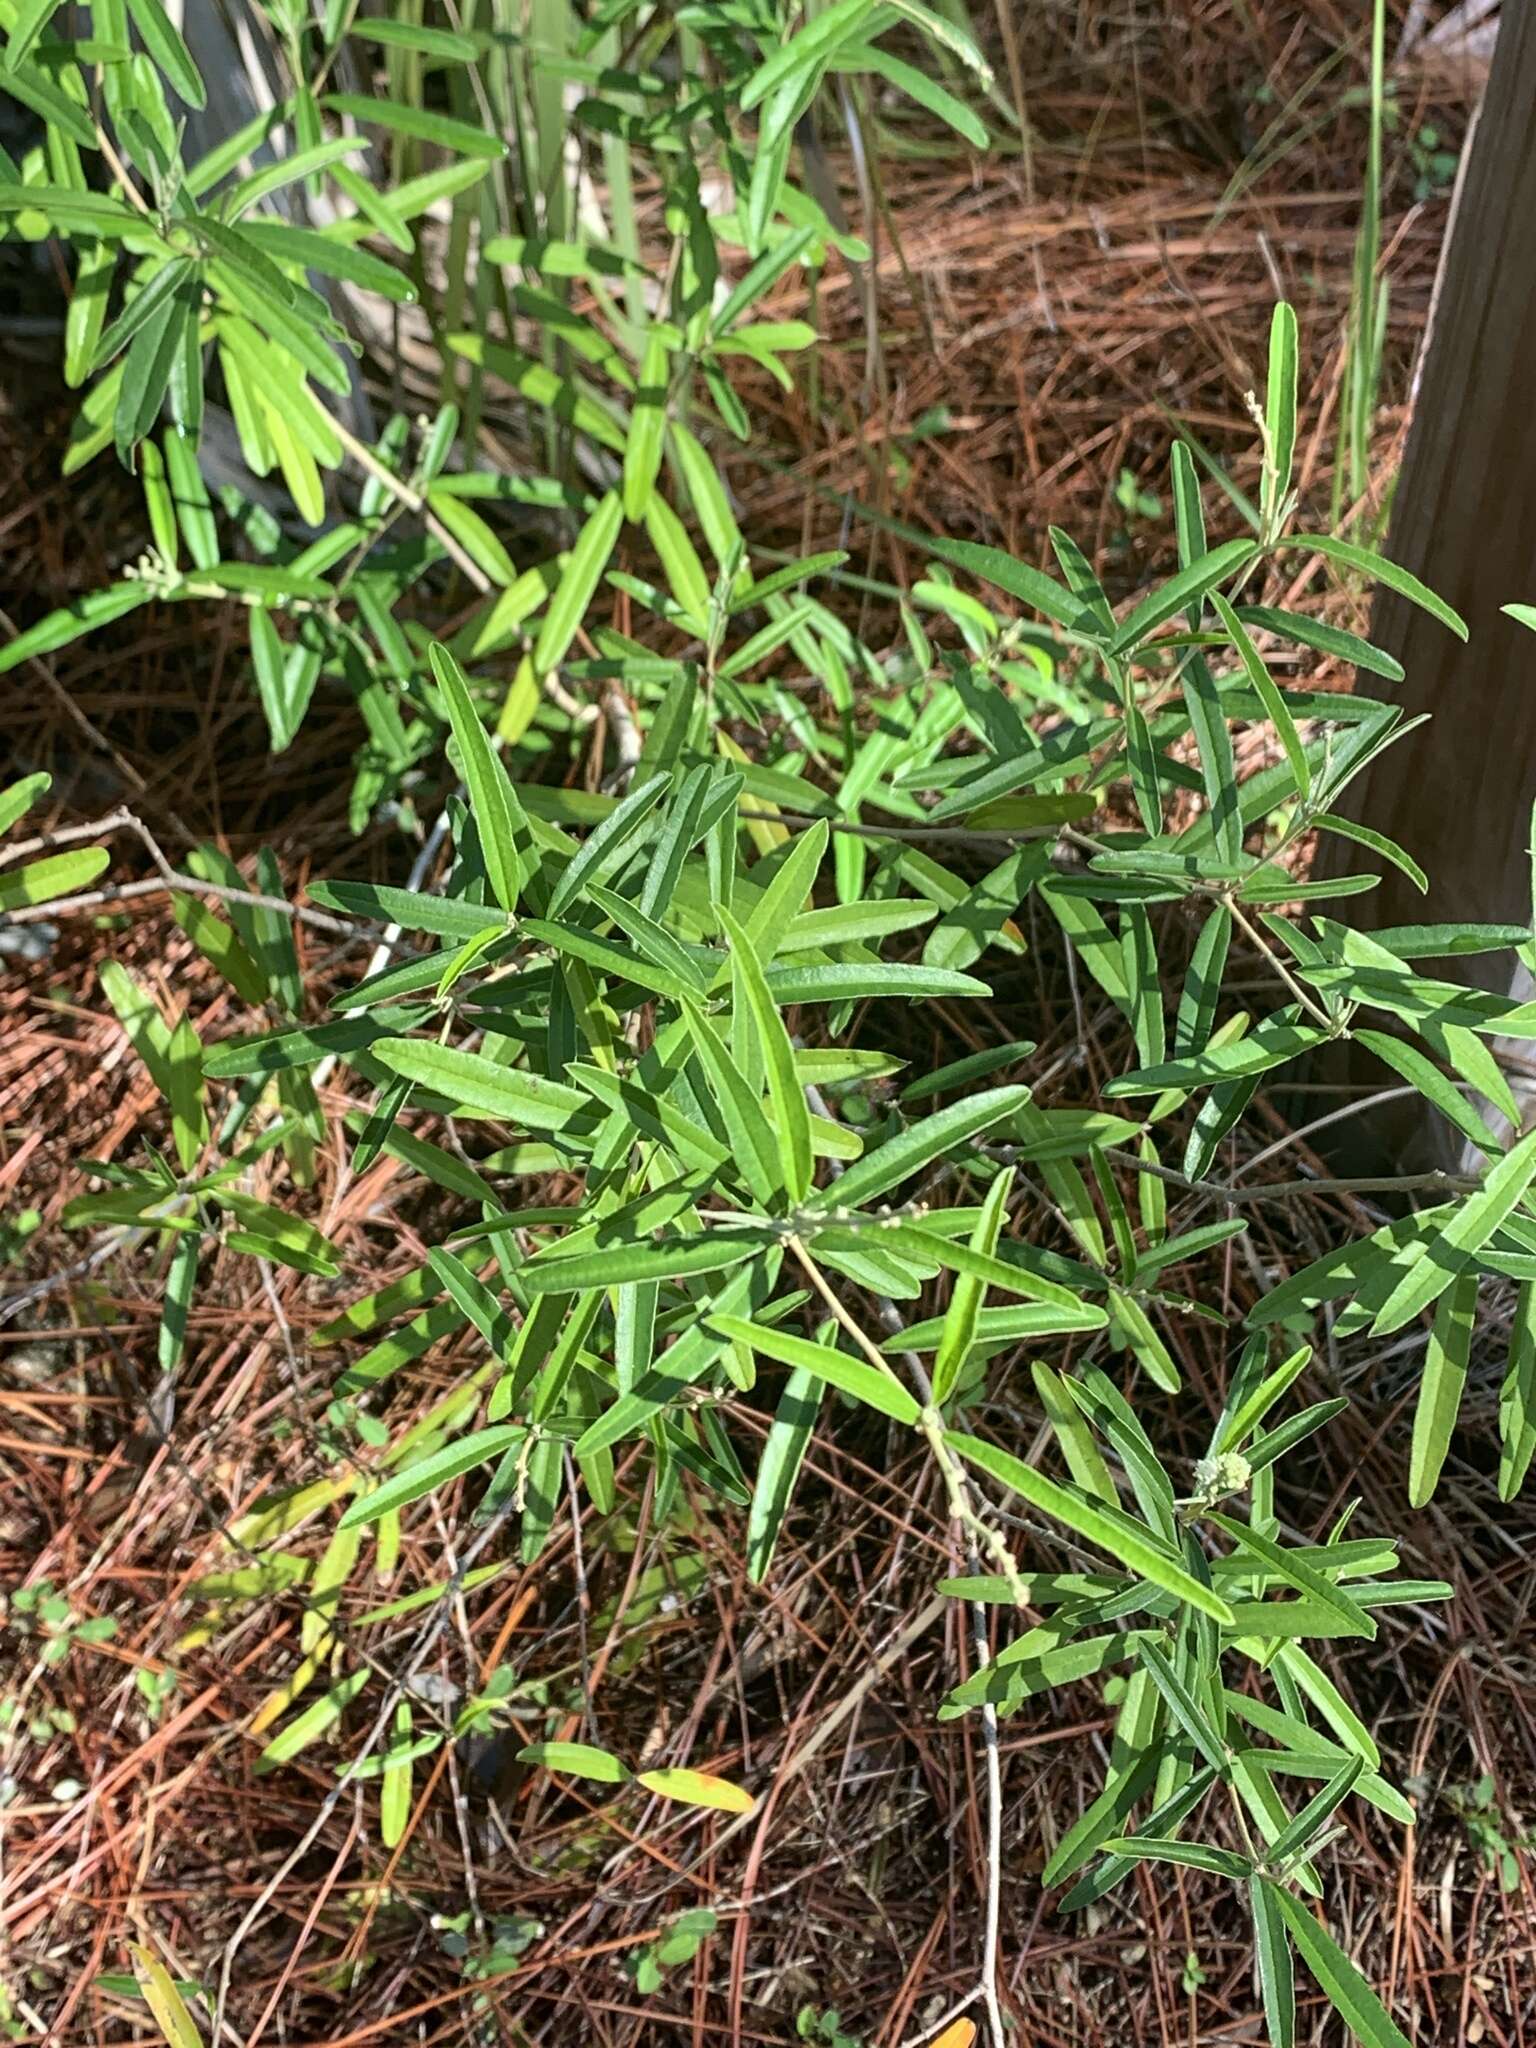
[(650, 990)]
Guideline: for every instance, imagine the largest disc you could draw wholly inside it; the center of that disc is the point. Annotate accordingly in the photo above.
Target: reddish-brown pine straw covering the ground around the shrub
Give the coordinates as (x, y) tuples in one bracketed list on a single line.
[(1037, 327)]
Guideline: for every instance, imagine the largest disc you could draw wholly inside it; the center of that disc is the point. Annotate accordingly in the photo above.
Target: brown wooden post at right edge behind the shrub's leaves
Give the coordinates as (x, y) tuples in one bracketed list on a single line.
[(1459, 792)]
